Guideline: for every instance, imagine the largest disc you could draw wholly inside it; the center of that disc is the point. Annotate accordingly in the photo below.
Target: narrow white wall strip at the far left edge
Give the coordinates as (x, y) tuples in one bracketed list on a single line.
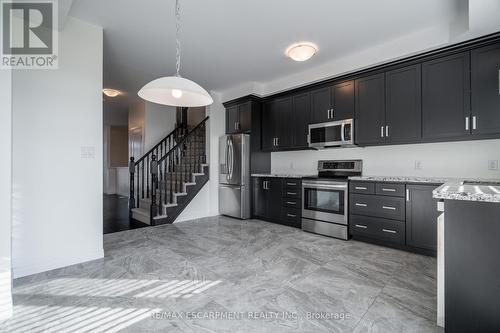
[(5, 193)]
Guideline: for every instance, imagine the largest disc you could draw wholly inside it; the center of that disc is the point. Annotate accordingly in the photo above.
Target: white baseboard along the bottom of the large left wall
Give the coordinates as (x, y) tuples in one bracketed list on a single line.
[(23, 271)]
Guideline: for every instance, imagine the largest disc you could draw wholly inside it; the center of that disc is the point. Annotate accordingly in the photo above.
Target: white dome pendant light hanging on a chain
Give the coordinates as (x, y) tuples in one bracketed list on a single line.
[(176, 90)]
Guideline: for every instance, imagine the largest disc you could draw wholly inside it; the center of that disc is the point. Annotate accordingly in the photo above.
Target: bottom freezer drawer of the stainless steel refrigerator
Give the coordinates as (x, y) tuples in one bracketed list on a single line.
[(234, 201)]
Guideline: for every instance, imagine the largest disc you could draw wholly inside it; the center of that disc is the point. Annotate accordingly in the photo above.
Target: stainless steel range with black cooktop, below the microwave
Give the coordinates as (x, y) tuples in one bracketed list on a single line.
[(325, 198)]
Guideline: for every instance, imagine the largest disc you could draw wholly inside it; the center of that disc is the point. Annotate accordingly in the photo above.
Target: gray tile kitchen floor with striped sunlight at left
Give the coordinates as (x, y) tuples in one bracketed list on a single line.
[(224, 275)]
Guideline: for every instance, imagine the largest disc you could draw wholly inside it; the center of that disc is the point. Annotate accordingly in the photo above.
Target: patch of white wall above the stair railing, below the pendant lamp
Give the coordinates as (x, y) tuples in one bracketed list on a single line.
[(159, 121)]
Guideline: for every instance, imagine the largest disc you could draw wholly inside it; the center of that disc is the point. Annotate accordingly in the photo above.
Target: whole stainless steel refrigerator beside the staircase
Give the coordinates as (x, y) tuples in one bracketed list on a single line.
[(234, 175)]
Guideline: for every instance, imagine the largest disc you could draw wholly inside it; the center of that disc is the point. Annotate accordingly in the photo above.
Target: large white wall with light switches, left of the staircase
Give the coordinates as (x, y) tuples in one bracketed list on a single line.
[(57, 194)]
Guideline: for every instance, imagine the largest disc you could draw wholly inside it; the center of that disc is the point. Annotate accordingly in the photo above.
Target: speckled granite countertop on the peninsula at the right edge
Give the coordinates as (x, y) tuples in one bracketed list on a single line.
[(462, 190)]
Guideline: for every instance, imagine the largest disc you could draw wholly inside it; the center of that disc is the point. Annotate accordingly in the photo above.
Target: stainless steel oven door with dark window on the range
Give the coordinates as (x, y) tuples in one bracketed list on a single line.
[(325, 201)]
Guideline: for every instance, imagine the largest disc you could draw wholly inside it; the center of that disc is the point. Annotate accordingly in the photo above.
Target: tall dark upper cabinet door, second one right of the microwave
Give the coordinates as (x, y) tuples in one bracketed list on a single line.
[(403, 113)]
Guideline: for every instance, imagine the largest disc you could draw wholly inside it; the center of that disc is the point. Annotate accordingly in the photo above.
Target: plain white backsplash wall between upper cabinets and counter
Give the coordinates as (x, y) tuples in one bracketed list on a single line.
[(465, 159)]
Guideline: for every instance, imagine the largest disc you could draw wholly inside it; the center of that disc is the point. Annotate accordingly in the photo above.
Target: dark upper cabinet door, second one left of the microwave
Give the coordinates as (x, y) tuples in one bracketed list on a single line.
[(283, 121)]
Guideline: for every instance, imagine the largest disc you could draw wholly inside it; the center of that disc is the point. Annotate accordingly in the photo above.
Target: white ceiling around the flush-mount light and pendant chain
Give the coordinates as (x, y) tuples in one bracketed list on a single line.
[(228, 42)]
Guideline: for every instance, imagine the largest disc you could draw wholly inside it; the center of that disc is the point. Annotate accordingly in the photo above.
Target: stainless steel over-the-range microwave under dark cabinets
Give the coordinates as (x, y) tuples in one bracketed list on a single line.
[(332, 134)]
